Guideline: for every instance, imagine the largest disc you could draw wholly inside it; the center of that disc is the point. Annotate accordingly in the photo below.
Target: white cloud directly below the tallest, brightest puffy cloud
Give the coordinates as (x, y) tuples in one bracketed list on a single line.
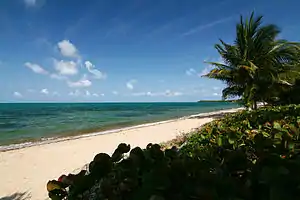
[(65, 67)]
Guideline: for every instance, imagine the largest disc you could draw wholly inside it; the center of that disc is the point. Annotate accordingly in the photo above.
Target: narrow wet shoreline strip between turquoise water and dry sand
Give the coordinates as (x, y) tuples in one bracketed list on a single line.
[(43, 141)]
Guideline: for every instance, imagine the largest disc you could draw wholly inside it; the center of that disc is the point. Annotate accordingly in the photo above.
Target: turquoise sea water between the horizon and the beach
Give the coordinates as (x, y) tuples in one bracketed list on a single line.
[(23, 122)]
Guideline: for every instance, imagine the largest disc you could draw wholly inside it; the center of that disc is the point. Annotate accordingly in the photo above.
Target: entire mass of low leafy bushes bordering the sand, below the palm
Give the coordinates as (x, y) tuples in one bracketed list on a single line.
[(247, 155)]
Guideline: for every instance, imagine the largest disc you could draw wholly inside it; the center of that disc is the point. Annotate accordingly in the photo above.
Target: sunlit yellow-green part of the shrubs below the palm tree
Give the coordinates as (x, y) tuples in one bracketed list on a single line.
[(279, 123)]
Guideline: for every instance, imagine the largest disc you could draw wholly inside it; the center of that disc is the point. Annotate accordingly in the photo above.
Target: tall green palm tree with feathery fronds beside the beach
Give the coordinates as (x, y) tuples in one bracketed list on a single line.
[(256, 63)]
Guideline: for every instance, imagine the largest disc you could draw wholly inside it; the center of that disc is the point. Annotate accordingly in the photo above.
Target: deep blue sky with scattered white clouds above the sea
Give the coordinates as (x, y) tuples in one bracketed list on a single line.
[(122, 51)]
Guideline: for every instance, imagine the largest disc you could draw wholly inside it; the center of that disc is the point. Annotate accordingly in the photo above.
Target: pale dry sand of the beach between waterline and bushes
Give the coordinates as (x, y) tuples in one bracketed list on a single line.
[(26, 171)]
